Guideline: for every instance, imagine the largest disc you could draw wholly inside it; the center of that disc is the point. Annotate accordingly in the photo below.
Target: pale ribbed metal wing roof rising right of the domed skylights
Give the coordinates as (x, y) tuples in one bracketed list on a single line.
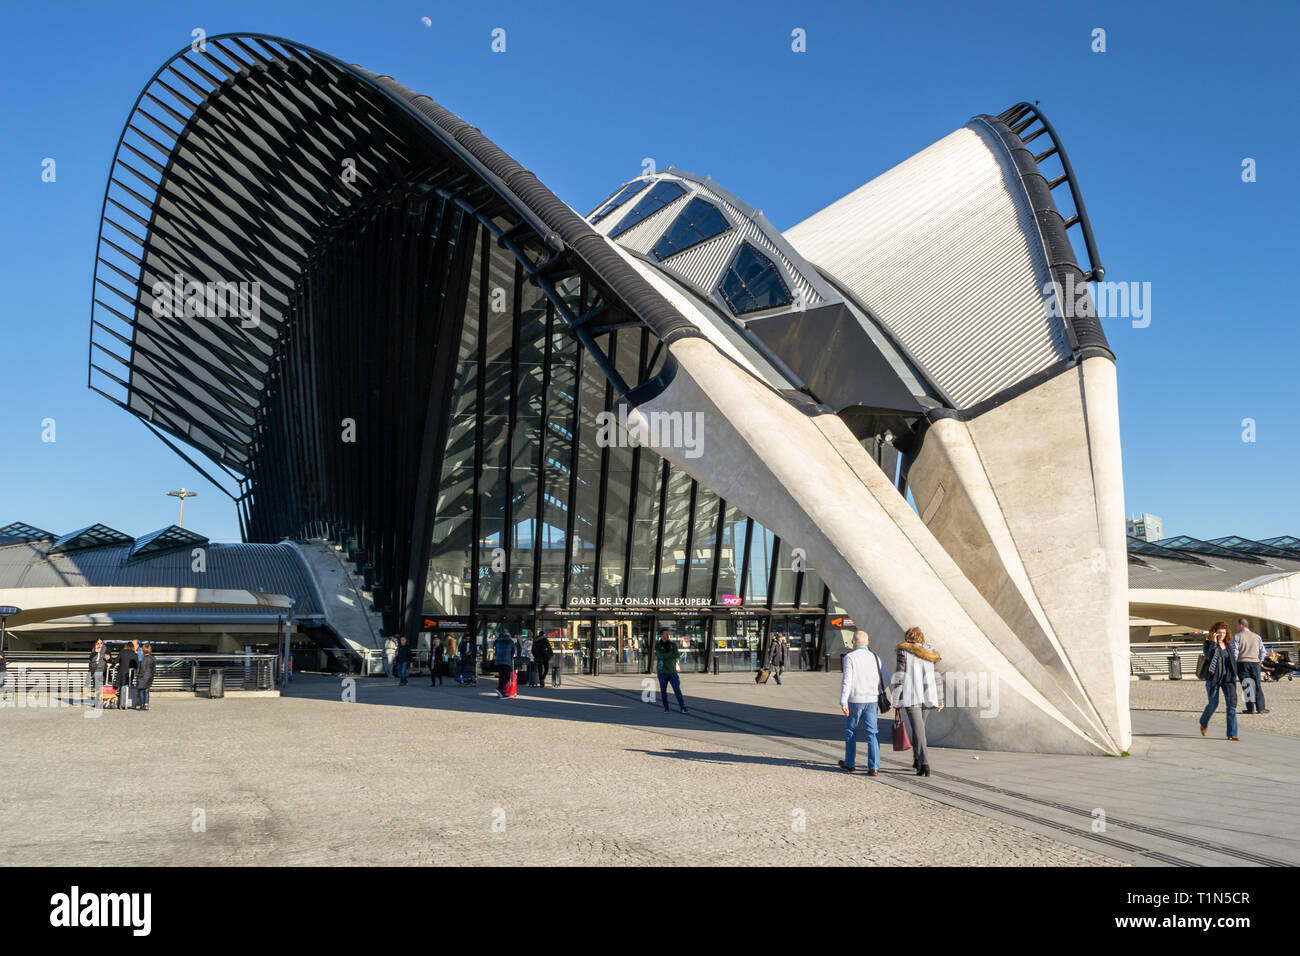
[(946, 250)]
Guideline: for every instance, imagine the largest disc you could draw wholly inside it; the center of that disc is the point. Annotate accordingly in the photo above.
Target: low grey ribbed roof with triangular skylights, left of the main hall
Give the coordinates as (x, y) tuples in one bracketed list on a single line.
[(272, 569)]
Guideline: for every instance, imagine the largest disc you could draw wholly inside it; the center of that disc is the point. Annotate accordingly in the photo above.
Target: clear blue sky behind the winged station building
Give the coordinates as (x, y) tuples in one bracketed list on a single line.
[(1158, 128)]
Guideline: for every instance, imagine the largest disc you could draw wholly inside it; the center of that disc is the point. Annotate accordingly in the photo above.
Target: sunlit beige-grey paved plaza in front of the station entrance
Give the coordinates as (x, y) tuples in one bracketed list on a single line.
[(593, 775)]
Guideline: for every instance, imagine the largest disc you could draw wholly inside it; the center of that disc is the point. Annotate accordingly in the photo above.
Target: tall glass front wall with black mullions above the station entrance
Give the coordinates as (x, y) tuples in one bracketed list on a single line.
[(541, 529)]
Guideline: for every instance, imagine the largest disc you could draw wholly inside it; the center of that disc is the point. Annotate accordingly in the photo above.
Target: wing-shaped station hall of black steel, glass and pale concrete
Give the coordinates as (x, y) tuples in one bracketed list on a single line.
[(367, 323)]
